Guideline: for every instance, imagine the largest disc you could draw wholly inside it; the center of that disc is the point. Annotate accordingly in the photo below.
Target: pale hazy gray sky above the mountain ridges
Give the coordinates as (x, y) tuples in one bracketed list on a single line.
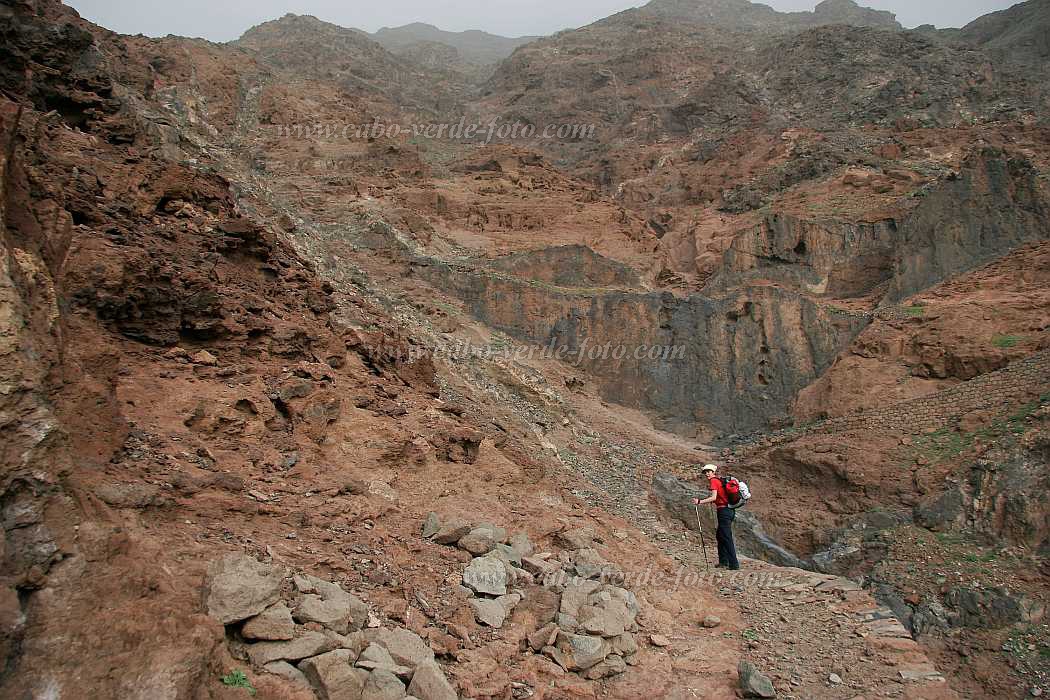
[(223, 20)]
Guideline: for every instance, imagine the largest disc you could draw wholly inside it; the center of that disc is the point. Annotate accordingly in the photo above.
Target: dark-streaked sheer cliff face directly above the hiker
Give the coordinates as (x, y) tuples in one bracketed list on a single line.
[(733, 364)]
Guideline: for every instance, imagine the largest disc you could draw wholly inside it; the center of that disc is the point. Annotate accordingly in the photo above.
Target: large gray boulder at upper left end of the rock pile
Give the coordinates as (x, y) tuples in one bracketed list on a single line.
[(238, 587)]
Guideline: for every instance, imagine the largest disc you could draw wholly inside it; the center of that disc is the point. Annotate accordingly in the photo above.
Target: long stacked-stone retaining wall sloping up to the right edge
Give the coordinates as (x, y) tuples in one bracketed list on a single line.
[(993, 391)]
